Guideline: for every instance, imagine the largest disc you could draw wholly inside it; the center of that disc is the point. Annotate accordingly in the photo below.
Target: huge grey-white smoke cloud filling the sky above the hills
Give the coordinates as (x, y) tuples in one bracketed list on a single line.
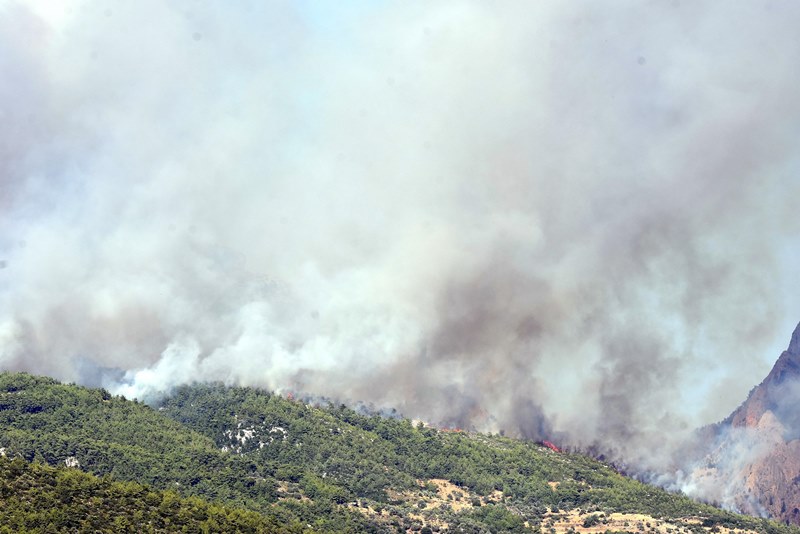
[(551, 218)]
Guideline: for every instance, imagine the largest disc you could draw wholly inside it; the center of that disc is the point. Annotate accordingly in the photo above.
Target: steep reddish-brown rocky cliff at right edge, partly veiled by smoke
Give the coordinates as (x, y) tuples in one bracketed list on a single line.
[(754, 463)]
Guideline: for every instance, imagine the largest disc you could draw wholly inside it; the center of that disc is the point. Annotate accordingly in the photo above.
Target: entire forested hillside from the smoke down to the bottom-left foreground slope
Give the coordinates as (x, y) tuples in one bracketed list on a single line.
[(327, 468)]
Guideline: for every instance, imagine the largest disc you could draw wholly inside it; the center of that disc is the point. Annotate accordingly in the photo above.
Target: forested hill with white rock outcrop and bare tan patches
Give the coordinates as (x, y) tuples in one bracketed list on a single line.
[(412, 474)]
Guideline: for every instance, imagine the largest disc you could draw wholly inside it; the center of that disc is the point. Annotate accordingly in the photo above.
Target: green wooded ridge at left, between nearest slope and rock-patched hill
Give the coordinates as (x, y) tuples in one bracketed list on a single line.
[(58, 424)]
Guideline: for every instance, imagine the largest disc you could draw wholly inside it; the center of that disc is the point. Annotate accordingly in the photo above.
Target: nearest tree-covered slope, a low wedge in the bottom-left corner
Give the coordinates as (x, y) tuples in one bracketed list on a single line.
[(39, 498)]
